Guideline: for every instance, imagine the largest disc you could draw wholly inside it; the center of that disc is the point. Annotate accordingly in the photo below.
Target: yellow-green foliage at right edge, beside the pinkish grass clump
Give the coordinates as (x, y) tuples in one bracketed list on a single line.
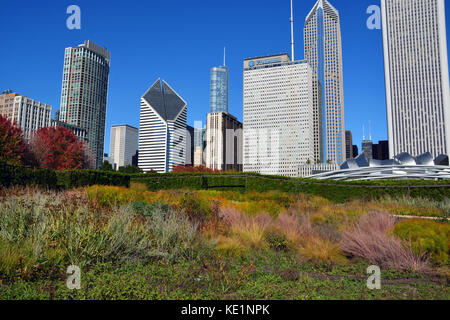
[(426, 236)]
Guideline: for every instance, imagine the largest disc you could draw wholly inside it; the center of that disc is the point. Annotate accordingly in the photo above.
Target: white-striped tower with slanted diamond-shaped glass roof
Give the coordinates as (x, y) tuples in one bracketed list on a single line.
[(162, 134)]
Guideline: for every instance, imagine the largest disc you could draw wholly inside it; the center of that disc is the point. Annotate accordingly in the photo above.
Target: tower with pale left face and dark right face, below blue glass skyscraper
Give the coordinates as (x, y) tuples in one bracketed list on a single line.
[(223, 142)]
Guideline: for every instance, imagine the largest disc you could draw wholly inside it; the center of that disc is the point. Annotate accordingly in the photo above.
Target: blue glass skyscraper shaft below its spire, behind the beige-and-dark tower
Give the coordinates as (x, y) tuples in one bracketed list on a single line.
[(219, 90)]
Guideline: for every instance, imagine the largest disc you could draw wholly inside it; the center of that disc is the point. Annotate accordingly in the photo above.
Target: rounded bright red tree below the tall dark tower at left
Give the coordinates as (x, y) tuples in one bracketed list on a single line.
[(59, 149)]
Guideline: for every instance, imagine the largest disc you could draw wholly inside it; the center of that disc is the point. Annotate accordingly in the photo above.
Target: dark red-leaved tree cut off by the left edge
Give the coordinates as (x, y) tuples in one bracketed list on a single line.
[(13, 149)]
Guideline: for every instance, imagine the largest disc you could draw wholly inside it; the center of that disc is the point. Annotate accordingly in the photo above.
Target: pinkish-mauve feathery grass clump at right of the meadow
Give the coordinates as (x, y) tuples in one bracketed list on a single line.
[(369, 239)]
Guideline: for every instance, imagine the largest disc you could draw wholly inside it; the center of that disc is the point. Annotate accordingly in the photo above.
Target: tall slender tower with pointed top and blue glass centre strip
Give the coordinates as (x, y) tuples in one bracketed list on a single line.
[(323, 51)]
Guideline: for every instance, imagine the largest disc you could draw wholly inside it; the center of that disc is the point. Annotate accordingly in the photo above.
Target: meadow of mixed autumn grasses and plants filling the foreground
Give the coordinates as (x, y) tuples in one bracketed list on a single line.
[(136, 244)]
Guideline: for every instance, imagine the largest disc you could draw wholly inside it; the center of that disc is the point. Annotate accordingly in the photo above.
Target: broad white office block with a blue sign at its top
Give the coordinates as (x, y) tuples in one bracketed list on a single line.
[(278, 130)]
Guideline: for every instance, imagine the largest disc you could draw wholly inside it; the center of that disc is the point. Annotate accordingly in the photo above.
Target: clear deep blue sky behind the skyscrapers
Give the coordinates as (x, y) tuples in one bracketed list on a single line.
[(179, 41)]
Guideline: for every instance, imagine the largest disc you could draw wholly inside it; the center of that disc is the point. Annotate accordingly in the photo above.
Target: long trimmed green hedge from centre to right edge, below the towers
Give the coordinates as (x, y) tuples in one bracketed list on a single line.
[(337, 191)]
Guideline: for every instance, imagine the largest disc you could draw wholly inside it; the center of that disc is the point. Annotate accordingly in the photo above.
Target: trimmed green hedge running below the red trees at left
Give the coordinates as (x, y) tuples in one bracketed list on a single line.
[(21, 176)]
